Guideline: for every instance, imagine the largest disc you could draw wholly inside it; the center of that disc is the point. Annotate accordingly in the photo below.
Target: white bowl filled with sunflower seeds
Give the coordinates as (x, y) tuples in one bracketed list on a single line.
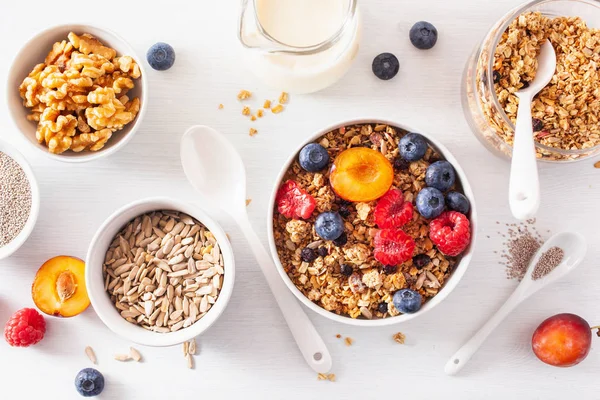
[(137, 275)]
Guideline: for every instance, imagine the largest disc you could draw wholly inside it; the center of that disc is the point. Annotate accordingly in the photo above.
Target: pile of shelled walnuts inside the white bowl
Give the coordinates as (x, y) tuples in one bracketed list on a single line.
[(78, 96)]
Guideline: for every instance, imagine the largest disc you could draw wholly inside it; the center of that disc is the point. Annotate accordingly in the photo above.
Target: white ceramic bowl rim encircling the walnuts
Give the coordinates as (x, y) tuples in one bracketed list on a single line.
[(87, 156)]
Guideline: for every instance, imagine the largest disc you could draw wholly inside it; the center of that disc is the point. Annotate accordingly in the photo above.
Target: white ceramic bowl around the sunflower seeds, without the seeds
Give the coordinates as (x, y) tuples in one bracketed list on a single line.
[(100, 299)]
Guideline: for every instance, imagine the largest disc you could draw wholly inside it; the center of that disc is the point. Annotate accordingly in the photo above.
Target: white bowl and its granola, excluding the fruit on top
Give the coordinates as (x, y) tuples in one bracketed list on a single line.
[(343, 280)]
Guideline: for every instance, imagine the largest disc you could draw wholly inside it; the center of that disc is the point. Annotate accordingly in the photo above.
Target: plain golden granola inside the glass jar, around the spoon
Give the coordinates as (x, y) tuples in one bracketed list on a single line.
[(566, 112)]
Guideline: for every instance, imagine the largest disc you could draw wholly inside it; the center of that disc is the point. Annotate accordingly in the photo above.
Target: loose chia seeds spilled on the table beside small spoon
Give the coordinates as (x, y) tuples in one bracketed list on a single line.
[(523, 241)]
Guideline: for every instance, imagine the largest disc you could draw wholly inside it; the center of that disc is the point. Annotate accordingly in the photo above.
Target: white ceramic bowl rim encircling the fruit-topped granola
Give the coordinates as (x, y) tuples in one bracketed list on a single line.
[(449, 285)]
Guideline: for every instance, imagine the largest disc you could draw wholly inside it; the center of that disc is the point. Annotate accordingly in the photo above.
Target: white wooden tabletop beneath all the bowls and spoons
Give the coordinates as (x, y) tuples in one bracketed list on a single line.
[(249, 352)]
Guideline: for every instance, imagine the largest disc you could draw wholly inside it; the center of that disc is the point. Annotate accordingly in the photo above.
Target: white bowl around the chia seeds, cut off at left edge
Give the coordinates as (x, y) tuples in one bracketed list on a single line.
[(18, 241)]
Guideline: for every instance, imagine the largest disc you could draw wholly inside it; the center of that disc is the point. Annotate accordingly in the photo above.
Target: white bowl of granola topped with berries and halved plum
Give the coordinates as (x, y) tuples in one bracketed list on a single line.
[(371, 223)]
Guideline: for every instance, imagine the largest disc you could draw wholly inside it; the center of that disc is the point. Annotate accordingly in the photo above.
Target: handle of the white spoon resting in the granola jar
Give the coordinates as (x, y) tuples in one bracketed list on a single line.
[(524, 187)]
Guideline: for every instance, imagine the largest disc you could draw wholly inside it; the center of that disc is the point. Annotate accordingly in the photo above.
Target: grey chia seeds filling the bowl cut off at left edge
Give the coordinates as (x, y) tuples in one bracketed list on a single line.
[(15, 199)]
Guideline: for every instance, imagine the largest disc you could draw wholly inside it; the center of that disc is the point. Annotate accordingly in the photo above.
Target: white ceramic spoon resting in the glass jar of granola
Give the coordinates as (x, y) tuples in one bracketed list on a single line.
[(524, 187)]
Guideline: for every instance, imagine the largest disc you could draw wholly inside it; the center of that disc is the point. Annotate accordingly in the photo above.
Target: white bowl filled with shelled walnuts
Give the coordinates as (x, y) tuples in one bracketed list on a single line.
[(77, 102)]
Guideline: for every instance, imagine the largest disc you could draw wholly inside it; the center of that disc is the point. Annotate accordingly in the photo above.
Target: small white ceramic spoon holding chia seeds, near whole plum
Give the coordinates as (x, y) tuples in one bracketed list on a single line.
[(574, 247)]
